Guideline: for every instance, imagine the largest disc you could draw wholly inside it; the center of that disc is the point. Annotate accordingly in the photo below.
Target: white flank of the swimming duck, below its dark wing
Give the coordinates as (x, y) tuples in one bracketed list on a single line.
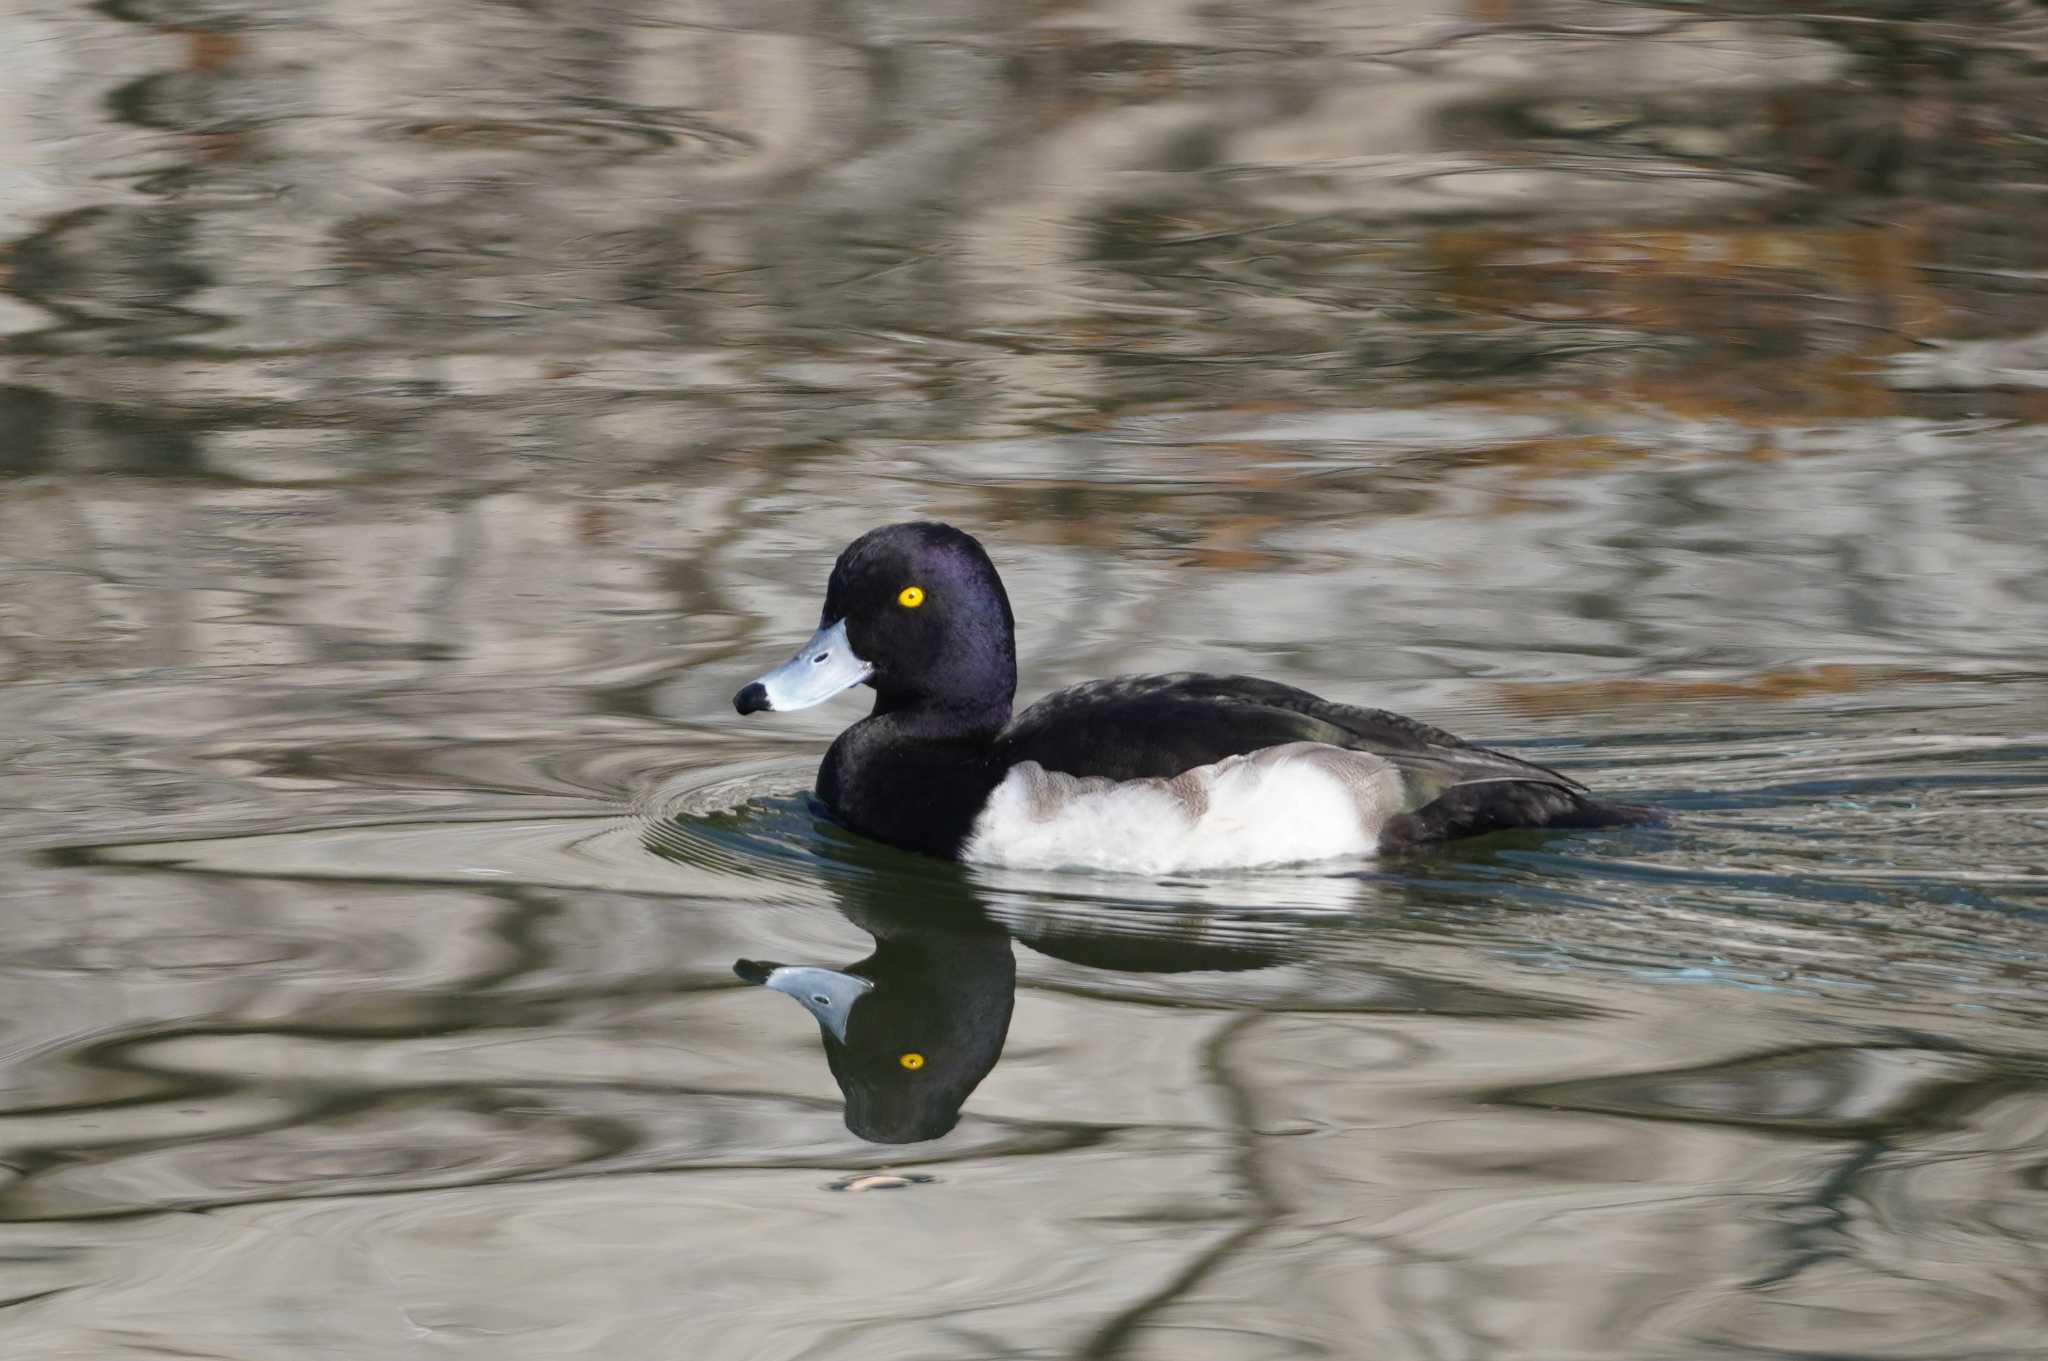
[(1273, 807)]
